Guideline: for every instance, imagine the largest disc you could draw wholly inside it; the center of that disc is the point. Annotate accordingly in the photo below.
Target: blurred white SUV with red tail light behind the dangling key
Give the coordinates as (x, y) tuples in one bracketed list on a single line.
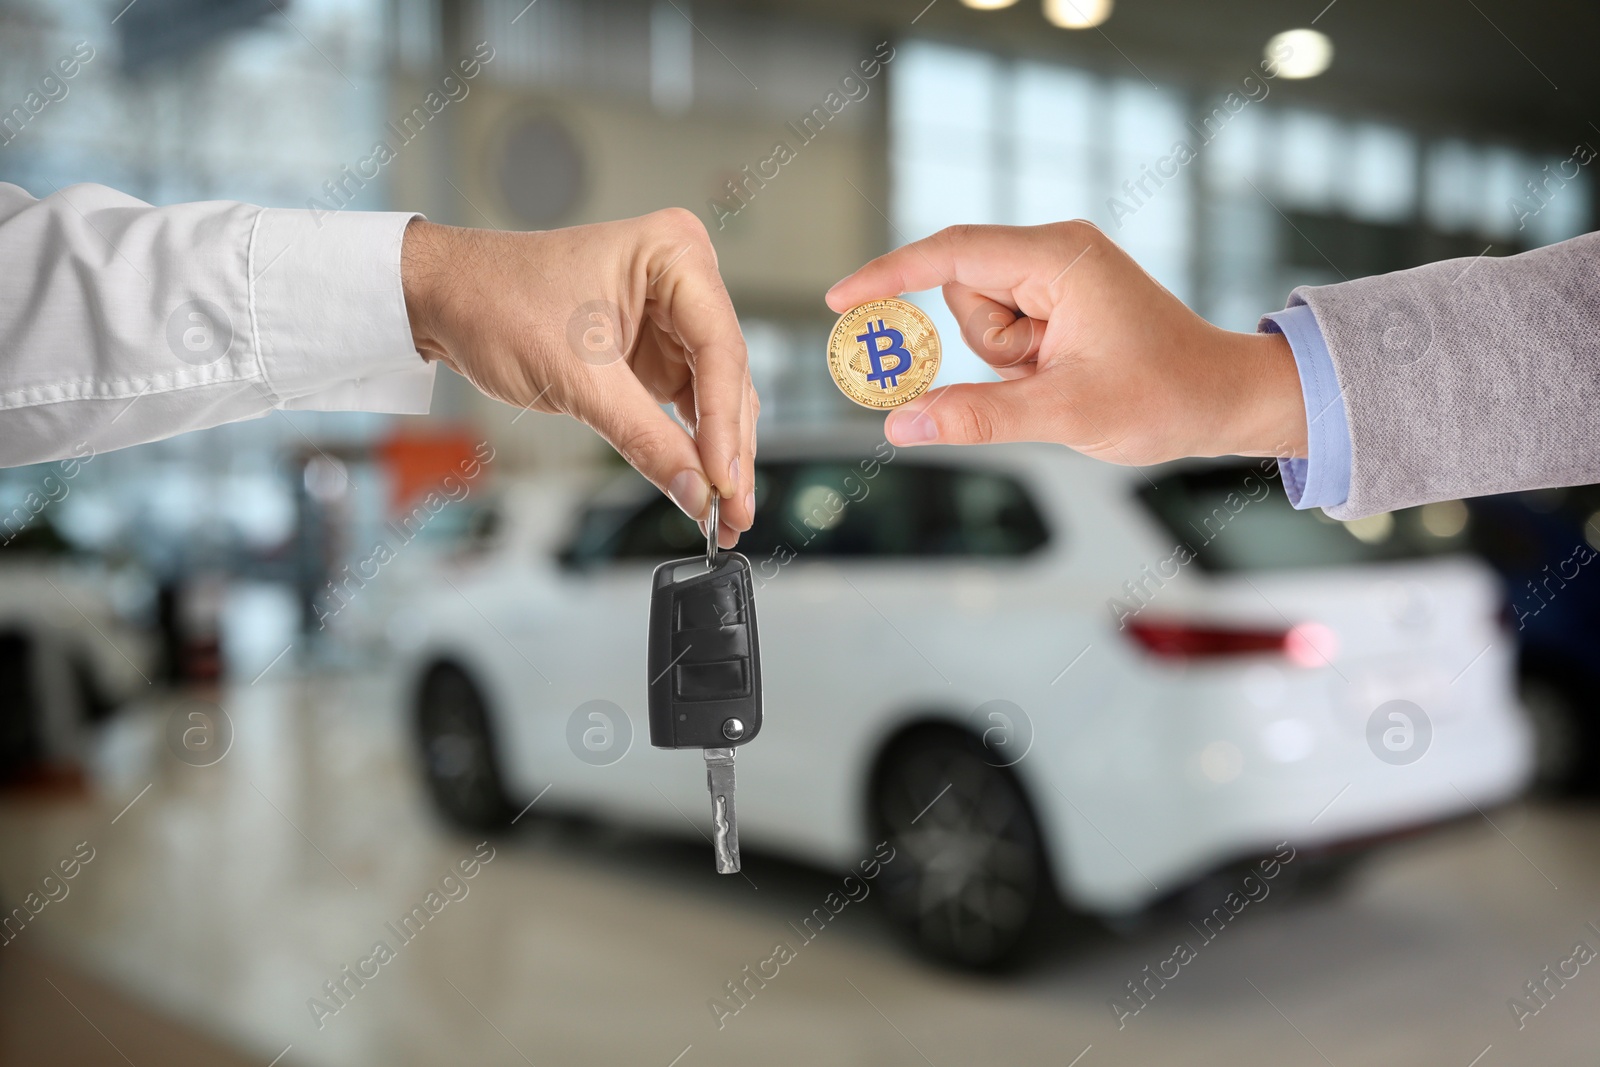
[(1044, 679)]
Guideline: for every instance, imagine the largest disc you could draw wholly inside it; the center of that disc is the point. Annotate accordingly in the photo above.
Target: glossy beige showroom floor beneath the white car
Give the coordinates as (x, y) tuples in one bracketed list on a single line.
[(226, 897)]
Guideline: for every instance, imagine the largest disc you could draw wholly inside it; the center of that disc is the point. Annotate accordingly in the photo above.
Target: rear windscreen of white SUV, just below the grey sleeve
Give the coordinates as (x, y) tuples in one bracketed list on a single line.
[(1236, 518)]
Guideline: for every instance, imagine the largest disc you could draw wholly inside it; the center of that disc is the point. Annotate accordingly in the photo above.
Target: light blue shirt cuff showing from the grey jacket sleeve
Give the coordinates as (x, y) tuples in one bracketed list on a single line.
[(1324, 478)]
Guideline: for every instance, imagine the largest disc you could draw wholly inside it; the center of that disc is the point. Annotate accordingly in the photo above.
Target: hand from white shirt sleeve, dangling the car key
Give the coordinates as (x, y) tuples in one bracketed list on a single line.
[(606, 324)]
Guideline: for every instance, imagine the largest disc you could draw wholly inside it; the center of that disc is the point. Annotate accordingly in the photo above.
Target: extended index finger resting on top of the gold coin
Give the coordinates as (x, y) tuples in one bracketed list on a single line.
[(986, 258)]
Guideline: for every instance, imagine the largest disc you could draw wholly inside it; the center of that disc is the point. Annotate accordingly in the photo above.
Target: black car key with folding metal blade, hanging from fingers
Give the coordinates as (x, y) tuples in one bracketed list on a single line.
[(705, 669)]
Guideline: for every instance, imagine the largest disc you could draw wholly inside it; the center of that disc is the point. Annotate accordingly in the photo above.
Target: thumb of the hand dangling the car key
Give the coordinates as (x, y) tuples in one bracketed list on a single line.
[(647, 438)]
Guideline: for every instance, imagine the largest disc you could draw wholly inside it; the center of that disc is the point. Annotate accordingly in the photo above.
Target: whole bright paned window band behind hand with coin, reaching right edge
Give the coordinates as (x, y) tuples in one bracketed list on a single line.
[(1260, 199)]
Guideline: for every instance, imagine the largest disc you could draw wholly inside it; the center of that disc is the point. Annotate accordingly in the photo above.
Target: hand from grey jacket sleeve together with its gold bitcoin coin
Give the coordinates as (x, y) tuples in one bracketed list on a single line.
[(1094, 353)]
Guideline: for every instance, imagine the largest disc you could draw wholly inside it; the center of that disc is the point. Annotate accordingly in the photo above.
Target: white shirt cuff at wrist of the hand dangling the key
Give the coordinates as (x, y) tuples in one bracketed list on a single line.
[(329, 313)]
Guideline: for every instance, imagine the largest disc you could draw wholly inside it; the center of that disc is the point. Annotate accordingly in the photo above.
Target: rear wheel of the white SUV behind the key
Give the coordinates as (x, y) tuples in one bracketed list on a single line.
[(969, 884)]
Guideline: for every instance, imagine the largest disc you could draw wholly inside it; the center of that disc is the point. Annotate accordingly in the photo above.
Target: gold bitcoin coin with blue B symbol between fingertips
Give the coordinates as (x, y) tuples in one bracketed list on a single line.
[(884, 354)]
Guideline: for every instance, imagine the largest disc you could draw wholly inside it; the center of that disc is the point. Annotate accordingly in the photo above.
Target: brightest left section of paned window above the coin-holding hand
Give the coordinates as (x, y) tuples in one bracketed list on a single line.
[(980, 140)]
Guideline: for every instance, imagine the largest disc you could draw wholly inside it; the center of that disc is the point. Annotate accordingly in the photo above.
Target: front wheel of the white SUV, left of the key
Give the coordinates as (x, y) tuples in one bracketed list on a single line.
[(457, 749)]
